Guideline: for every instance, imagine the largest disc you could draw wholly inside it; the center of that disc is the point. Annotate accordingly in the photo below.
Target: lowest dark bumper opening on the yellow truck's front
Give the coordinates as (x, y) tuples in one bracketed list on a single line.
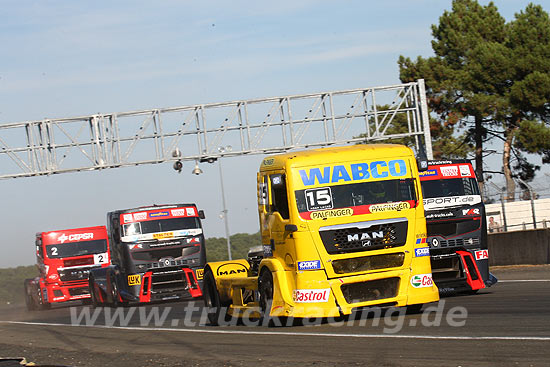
[(371, 290)]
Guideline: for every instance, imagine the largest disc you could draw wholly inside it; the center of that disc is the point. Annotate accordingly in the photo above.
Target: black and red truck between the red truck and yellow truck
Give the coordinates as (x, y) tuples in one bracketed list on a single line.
[(157, 254)]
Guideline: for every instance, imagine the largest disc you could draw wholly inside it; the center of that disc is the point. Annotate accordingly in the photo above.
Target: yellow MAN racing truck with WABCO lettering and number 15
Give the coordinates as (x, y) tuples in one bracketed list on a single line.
[(342, 228)]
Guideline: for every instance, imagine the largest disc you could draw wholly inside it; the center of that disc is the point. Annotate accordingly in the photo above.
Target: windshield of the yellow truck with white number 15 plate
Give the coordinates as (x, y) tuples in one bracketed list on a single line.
[(365, 193)]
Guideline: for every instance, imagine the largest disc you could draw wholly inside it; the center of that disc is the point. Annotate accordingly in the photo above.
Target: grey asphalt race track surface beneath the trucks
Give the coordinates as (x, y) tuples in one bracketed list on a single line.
[(505, 325)]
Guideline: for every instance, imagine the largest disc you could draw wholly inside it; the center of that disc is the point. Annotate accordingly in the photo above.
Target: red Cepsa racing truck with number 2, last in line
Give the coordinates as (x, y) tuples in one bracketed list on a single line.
[(64, 260)]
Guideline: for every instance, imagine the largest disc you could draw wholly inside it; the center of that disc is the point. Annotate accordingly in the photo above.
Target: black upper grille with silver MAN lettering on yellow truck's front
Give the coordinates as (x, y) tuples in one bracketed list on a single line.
[(364, 236)]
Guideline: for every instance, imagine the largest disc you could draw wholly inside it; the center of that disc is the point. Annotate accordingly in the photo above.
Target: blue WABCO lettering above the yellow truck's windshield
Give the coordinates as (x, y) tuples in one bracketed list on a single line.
[(353, 172)]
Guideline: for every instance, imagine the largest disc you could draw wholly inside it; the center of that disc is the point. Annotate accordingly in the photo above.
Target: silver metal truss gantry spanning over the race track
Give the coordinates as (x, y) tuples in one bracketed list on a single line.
[(258, 126)]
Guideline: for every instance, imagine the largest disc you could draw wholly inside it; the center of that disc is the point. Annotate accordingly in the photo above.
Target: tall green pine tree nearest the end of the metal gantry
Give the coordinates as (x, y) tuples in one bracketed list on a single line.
[(454, 91)]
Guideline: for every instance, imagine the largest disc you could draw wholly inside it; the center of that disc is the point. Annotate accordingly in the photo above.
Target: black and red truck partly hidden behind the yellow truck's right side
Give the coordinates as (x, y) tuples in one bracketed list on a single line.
[(457, 227)]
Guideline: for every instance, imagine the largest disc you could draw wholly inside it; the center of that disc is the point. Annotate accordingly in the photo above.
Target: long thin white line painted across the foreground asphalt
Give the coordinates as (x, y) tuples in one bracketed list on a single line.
[(288, 333)]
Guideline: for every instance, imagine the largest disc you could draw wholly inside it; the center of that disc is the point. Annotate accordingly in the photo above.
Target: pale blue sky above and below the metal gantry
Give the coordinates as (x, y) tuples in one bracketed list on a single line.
[(74, 58)]
